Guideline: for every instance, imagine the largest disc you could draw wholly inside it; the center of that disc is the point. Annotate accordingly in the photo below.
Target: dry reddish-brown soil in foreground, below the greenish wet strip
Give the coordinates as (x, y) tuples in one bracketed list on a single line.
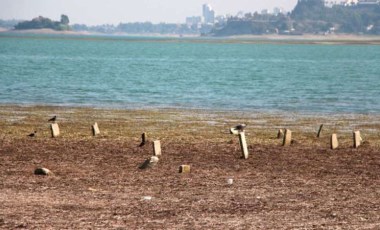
[(97, 185)]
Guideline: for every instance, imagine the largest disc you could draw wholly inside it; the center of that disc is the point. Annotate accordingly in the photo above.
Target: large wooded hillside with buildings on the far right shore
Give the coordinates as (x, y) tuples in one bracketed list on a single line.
[(308, 16)]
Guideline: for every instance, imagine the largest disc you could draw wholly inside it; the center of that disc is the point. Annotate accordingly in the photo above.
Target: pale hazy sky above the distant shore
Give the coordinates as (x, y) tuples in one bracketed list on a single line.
[(94, 12)]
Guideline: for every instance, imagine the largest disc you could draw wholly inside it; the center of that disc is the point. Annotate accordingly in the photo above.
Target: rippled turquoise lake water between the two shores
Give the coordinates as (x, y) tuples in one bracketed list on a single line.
[(157, 73)]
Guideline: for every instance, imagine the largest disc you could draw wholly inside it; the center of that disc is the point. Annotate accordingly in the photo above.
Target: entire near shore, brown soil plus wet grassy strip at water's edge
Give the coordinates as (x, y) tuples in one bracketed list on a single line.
[(97, 183)]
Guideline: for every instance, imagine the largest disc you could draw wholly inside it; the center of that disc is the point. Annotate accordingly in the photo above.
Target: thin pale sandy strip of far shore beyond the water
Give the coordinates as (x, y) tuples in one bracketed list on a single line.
[(271, 38)]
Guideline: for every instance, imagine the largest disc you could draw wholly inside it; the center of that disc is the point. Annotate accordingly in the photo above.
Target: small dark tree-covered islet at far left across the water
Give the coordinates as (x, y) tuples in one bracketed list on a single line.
[(44, 23)]
